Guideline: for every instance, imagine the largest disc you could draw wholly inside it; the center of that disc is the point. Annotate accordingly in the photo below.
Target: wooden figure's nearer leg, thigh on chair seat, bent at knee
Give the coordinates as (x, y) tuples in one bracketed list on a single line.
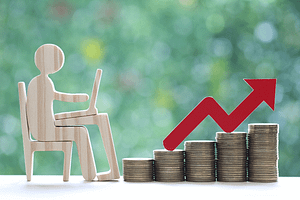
[(81, 137)]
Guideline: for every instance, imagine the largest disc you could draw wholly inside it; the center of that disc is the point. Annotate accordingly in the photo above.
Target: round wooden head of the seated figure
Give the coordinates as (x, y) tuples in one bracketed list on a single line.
[(49, 58)]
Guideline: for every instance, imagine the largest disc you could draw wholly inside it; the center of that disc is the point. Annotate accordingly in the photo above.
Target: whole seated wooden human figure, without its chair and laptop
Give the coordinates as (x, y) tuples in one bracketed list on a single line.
[(49, 59)]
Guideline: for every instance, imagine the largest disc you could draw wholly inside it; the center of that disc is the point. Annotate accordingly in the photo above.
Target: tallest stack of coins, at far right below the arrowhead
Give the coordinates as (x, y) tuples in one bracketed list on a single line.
[(263, 152)]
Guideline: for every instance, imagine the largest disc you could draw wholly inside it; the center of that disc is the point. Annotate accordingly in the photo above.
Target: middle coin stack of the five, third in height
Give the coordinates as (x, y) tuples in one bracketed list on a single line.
[(200, 161)]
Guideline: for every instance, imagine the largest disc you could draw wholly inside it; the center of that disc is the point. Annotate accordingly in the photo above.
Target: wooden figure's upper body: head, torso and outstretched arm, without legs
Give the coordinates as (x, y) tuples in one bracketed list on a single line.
[(41, 93)]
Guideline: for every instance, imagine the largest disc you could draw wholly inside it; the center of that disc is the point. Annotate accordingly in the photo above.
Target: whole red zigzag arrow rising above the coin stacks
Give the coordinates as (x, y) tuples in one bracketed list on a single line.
[(263, 90)]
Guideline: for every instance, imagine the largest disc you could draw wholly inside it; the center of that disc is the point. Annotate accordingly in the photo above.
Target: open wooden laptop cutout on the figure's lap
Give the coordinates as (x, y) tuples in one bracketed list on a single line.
[(92, 110)]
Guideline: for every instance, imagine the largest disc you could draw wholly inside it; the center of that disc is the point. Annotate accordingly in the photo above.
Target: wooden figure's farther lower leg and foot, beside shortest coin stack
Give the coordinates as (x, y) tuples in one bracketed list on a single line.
[(105, 130)]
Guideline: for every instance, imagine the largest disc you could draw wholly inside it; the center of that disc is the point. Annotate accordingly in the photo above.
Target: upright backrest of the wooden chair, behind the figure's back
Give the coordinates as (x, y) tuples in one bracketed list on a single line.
[(24, 122)]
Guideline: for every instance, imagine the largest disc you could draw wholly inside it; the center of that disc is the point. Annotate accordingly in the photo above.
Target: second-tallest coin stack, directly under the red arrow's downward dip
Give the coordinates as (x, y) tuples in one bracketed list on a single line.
[(231, 156)]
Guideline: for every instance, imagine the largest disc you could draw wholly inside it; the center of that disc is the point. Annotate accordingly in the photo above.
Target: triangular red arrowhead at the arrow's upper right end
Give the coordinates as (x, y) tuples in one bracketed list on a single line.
[(264, 89)]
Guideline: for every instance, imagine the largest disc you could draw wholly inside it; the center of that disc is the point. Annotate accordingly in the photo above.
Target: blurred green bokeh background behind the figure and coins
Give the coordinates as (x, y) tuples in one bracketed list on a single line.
[(159, 60)]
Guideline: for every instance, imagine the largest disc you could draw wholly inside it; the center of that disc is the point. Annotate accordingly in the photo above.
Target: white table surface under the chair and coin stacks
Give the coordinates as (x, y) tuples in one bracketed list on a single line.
[(52, 187)]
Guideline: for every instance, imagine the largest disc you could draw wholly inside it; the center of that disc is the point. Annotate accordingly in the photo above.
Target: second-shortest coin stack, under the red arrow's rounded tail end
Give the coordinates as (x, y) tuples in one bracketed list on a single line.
[(169, 165)]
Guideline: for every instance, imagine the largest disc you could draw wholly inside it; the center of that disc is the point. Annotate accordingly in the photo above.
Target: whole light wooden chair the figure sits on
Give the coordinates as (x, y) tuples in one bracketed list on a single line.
[(33, 145)]
